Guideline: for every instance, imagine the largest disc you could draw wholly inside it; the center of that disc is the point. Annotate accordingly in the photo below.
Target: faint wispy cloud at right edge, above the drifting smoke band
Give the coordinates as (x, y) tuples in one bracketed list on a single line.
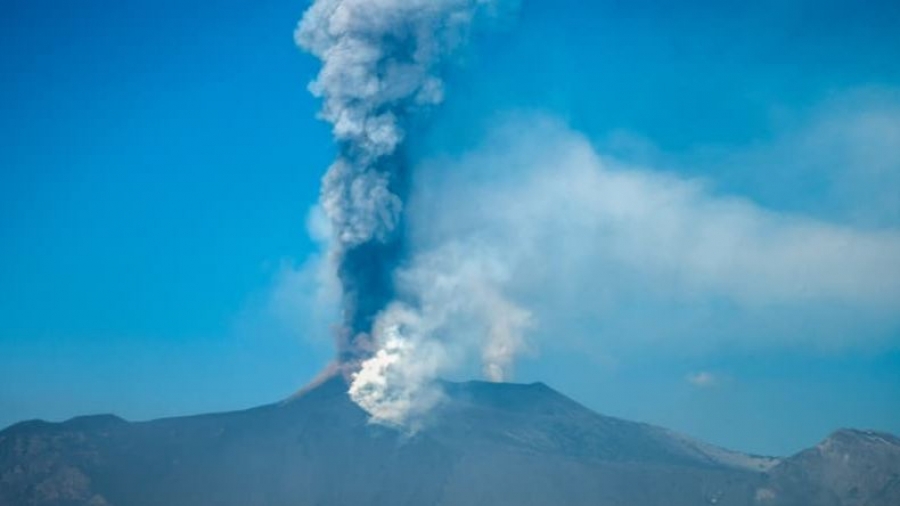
[(838, 160)]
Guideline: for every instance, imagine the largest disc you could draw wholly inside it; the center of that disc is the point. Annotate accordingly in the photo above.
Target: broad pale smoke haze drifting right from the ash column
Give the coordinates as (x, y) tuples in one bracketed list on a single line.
[(615, 258)]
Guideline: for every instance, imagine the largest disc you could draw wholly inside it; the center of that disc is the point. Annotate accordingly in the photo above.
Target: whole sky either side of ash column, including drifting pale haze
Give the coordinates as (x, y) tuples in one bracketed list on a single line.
[(158, 161)]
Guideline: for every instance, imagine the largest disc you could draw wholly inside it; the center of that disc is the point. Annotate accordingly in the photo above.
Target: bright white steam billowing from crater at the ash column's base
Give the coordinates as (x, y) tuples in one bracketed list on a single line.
[(460, 315)]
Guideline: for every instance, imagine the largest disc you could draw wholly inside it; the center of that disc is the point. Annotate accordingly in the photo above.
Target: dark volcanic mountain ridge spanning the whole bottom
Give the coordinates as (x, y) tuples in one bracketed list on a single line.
[(488, 444)]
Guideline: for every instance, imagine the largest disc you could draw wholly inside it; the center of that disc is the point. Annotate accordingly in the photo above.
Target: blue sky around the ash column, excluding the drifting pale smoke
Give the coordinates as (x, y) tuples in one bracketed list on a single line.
[(158, 160)]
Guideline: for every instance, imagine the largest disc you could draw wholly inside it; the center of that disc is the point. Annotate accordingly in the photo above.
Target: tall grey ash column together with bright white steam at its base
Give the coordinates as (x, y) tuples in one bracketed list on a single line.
[(381, 62)]
